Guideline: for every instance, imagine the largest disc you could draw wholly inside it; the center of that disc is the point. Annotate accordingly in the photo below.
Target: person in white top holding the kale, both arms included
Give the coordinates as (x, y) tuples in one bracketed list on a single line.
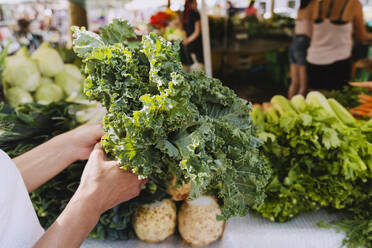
[(103, 185)]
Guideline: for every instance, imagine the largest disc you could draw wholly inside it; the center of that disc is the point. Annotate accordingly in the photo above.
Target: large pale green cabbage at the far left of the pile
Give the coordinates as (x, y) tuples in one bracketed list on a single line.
[(21, 71)]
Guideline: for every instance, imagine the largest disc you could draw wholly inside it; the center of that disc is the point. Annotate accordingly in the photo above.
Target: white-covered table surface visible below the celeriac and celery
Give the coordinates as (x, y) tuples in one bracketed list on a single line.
[(254, 232)]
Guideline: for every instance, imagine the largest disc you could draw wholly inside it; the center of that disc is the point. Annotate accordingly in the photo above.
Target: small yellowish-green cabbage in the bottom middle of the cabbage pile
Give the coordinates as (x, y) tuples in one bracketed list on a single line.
[(48, 93)]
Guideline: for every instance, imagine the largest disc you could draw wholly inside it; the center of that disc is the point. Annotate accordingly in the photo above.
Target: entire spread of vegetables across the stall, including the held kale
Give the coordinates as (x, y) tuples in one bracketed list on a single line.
[(207, 154)]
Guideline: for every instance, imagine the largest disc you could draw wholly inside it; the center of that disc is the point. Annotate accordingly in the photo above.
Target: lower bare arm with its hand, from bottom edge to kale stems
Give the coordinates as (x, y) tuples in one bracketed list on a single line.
[(103, 185)]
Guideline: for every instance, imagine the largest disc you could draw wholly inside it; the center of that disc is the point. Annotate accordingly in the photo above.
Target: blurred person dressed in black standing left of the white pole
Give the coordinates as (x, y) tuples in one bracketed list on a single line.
[(193, 41)]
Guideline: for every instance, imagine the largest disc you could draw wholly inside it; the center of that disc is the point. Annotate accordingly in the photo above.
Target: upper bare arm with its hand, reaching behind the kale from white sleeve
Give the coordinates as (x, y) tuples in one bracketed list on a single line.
[(42, 163)]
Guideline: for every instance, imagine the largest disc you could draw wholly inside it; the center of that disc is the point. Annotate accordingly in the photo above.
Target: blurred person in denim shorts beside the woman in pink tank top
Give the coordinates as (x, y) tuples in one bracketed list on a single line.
[(298, 50)]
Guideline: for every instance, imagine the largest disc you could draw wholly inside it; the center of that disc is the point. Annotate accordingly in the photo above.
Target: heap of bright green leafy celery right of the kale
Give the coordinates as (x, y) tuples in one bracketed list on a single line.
[(321, 157)]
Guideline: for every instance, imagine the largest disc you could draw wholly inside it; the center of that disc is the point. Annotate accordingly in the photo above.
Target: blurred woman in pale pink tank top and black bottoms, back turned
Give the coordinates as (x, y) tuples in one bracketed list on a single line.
[(329, 55)]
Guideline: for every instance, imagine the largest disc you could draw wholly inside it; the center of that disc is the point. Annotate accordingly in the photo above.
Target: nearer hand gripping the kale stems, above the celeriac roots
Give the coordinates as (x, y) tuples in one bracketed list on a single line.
[(105, 184)]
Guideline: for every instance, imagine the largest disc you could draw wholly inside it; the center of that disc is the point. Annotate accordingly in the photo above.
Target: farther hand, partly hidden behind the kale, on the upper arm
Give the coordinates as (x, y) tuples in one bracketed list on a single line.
[(81, 140)]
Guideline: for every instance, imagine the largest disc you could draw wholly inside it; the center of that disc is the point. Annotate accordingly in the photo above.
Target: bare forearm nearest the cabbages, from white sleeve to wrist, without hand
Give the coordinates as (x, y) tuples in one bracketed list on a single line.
[(42, 163)]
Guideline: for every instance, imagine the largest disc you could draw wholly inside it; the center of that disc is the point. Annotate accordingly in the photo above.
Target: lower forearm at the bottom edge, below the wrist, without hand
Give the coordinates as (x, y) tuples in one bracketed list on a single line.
[(73, 226)]
